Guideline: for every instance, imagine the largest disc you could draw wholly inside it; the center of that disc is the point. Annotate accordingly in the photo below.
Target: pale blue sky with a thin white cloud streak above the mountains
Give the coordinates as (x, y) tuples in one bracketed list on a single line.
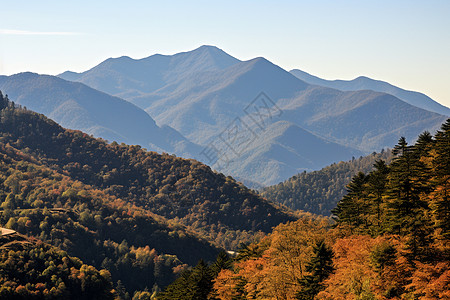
[(406, 43)]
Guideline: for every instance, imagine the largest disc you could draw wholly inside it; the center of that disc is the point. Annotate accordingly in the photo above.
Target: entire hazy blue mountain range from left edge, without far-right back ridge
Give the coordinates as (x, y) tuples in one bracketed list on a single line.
[(206, 101)]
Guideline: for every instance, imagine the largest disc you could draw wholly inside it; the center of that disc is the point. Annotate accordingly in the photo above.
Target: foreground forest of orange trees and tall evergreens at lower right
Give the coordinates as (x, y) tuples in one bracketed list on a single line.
[(389, 239)]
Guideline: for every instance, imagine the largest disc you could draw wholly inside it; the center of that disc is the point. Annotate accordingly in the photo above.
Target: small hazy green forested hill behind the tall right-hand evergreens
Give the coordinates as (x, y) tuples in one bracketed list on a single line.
[(318, 192)]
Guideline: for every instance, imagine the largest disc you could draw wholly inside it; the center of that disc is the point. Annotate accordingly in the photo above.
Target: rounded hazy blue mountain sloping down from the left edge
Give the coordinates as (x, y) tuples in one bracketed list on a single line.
[(77, 106)]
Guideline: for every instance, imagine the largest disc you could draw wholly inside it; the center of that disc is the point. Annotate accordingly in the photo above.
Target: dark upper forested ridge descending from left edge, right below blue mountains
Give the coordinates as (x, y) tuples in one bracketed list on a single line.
[(185, 191)]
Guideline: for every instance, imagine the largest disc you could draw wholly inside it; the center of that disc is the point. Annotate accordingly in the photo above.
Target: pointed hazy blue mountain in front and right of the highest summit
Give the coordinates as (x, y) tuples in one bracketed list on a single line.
[(201, 106)]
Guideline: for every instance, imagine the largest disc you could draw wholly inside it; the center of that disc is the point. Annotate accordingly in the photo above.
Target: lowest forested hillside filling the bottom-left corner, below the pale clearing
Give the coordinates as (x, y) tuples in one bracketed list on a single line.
[(33, 270)]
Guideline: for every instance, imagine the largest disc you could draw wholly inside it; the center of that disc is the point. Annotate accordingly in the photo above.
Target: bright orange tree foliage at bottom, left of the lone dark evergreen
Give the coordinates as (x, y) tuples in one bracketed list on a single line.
[(275, 274)]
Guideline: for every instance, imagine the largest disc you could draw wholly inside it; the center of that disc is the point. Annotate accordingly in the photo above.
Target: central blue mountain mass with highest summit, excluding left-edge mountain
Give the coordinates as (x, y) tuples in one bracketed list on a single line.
[(206, 100)]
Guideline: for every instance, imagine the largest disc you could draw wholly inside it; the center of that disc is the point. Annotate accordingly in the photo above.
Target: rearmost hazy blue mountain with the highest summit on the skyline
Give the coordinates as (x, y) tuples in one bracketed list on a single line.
[(126, 77)]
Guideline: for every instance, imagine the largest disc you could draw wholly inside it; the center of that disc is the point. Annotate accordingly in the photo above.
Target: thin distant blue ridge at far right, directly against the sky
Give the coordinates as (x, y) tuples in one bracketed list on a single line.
[(365, 83)]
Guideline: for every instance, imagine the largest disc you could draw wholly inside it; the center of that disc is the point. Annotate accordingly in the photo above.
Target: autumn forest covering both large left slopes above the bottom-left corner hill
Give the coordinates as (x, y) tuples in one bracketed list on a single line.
[(135, 213)]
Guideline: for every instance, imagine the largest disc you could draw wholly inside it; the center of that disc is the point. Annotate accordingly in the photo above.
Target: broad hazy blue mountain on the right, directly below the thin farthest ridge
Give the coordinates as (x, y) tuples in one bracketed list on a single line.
[(366, 120)]
